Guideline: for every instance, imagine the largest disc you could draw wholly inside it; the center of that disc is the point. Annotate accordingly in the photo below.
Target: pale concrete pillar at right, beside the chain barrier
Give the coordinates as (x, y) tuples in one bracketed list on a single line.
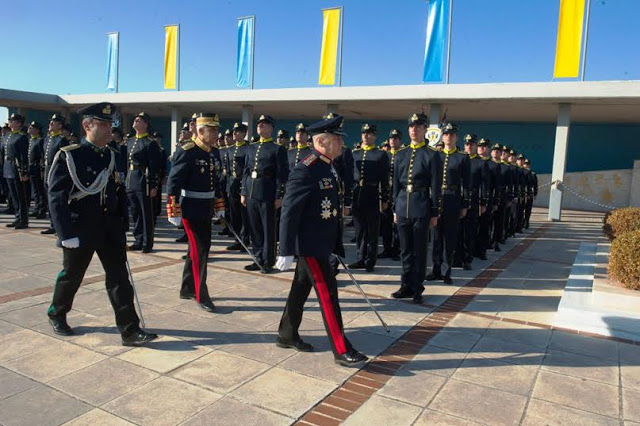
[(559, 161)]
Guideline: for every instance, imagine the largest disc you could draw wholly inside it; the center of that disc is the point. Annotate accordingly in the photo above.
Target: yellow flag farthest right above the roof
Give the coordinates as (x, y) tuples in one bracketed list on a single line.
[(569, 44)]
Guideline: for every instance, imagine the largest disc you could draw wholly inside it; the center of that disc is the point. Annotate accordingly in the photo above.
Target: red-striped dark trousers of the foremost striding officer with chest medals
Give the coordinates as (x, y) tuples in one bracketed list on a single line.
[(314, 272)]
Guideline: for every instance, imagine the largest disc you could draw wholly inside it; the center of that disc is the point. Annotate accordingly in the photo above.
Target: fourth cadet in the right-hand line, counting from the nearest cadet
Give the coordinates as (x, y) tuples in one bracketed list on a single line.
[(494, 185)]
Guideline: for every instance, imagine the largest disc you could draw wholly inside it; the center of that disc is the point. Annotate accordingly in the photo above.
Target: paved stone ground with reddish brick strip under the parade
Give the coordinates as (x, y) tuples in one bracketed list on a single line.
[(481, 351)]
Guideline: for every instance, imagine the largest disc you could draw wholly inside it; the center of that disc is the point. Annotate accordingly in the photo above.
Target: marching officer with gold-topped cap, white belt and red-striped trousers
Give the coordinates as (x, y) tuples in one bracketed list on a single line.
[(196, 181)]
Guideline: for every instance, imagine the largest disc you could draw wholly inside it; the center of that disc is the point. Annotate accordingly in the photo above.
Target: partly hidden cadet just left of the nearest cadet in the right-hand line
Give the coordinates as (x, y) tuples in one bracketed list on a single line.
[(388, 228)]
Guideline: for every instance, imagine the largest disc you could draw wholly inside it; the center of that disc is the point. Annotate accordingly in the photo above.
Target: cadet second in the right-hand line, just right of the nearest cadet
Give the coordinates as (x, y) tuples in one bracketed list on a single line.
[(456, 171)]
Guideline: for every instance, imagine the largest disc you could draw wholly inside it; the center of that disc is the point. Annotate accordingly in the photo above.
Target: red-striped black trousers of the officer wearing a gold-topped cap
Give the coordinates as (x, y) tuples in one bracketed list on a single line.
[(194, 275)]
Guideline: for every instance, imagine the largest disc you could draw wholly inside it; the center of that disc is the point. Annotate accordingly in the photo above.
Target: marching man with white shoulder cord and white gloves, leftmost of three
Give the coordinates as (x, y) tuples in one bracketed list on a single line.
[(89, 212)]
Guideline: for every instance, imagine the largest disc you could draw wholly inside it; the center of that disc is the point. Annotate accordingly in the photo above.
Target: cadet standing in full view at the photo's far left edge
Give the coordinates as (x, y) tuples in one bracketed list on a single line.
[(16, 171)]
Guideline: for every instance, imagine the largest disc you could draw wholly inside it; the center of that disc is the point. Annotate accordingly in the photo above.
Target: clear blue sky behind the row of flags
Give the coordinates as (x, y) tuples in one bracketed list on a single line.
[(60, 47)]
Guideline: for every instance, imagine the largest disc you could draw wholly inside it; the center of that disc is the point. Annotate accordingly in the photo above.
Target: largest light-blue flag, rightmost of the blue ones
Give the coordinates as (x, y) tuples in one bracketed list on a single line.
[(436, 47)]
